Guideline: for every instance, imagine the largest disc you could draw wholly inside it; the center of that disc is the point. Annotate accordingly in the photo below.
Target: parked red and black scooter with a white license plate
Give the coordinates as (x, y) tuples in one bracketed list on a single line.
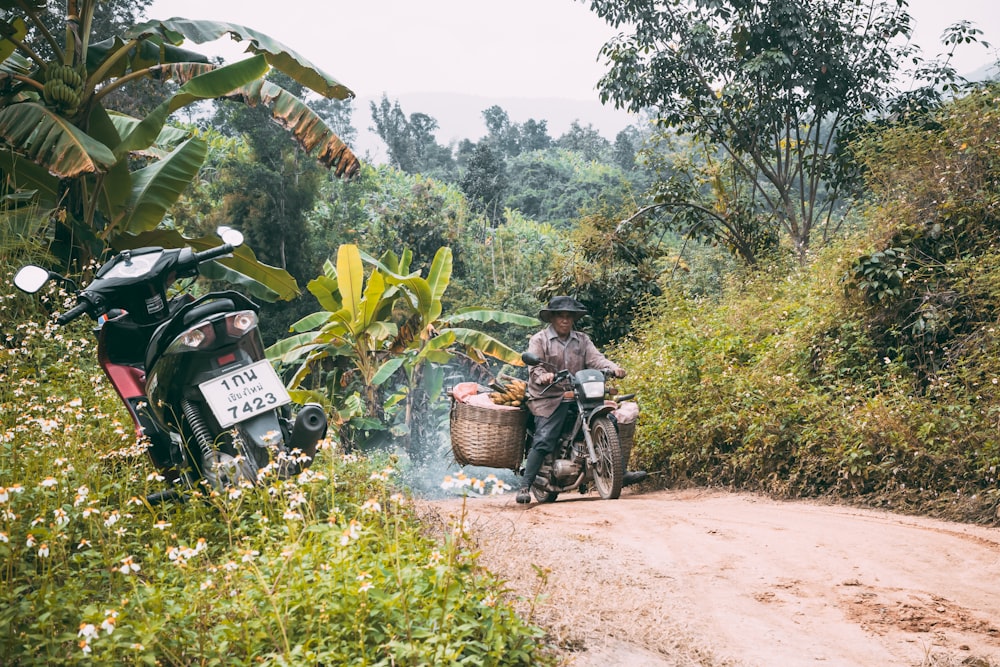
[(191, 372)]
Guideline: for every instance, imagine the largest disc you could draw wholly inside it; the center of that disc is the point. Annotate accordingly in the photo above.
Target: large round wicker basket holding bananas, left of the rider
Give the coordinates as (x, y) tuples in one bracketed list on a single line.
[(489, 438)]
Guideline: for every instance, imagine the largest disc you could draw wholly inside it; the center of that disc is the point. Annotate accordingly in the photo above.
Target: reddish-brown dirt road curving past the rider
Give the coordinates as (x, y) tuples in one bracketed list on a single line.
[(717, 579)]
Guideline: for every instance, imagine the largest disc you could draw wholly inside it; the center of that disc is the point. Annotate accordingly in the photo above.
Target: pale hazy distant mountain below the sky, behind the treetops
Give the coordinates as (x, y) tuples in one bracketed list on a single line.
[(461, 116)]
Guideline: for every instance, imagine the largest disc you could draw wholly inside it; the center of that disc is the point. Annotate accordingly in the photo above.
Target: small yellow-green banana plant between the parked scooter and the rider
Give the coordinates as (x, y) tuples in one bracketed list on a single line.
[(393, 323)]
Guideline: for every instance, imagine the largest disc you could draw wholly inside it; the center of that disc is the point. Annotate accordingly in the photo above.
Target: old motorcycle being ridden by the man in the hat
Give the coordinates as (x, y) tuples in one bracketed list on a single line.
[(589, 448)]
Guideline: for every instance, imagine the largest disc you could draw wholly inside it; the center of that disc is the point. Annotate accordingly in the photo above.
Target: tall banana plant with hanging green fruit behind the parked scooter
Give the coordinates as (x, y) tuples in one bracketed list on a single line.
[(61, 145)]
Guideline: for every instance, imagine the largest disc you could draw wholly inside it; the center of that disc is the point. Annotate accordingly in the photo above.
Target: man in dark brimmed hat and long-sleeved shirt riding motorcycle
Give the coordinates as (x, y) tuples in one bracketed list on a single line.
[(561, 347)]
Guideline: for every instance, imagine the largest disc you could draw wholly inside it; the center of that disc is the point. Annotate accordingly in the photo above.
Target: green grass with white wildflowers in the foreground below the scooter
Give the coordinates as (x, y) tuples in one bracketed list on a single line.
[(330, 568)]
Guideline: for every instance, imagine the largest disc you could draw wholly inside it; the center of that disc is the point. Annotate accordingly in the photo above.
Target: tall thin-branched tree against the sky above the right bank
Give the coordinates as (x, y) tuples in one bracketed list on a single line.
[(771, 83)]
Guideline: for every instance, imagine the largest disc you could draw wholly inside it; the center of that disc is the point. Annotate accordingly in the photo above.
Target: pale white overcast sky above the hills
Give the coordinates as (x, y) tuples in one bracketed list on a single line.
[(505, 48)]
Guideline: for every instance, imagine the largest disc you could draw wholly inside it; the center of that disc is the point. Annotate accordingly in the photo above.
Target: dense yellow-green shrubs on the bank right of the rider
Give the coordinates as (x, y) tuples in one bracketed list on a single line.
[(780, 387)]
